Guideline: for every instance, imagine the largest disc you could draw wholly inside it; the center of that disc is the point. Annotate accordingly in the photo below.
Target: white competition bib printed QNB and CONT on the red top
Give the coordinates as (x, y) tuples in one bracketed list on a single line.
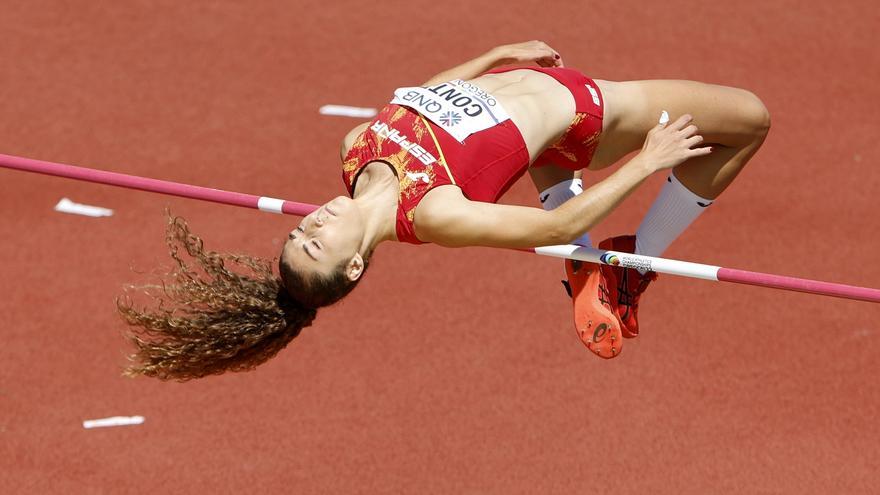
[(457, 106)]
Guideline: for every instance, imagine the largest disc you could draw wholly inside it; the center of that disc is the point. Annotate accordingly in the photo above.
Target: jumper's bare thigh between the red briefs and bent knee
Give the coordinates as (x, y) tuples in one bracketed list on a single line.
[(724, 115)]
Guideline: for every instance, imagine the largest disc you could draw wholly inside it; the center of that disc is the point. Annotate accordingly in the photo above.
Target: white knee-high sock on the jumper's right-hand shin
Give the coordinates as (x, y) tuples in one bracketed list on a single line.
[(675, 208)]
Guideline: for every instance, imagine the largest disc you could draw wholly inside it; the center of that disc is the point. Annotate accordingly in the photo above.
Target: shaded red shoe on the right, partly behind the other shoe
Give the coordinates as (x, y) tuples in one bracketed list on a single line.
[(630, 285)]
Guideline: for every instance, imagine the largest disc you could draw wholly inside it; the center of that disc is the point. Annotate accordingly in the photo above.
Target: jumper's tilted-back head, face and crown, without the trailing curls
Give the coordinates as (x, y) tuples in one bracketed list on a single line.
[(322, 259)]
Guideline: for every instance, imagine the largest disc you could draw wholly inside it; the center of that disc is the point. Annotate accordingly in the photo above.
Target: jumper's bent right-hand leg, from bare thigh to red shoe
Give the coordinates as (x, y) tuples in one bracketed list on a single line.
[(734, 120)]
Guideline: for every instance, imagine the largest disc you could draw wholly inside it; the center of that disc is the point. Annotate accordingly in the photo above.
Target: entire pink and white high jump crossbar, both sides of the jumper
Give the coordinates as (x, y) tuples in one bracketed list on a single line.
[(614, 258)]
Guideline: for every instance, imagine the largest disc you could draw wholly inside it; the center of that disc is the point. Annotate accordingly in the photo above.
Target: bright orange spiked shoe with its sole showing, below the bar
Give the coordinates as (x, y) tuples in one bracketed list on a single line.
[(595, 318)]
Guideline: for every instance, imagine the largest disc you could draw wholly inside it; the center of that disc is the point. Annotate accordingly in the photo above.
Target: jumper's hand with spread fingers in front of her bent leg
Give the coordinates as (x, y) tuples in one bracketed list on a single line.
[(671, 144)]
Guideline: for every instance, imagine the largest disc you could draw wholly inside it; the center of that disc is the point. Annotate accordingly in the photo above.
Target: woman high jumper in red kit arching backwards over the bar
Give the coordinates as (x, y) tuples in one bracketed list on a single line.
[(431, 167)]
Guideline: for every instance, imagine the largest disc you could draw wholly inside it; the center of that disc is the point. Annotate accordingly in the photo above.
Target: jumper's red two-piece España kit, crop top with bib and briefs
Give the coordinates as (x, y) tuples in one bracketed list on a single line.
[(460, 136)]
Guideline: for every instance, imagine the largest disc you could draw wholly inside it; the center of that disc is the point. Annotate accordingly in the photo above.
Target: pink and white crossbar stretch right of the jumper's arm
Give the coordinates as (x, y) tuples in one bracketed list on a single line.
[(710, 272)]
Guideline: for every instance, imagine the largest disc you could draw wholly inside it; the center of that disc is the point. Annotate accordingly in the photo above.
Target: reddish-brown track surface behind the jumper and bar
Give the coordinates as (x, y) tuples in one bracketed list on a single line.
[(729, 389)]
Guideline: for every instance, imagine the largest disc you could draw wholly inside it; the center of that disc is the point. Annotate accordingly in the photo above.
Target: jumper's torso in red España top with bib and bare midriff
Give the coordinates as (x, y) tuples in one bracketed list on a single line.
[(478, 135)]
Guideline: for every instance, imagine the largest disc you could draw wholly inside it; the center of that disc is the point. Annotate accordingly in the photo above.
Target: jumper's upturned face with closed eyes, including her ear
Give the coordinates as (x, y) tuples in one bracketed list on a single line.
[(325, 238)]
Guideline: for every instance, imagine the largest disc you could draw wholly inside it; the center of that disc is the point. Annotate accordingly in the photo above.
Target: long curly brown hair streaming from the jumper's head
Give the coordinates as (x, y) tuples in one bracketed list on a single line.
[(209, 319)]
